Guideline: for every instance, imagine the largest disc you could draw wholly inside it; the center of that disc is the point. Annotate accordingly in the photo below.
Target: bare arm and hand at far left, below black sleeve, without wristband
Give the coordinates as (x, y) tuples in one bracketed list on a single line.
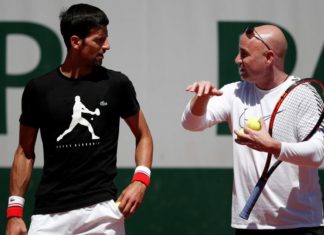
[(20, 174)]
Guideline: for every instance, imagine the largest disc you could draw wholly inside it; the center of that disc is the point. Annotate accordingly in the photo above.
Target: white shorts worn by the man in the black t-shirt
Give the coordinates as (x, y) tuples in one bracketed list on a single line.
[(102, 218)]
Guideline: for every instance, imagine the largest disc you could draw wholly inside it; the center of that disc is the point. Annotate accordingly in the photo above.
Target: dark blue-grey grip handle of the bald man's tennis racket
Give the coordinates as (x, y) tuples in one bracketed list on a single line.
[(245, 213)]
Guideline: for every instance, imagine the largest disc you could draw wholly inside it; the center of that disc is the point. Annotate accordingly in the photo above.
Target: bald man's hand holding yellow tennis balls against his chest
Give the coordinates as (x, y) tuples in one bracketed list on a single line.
[(259, 140)]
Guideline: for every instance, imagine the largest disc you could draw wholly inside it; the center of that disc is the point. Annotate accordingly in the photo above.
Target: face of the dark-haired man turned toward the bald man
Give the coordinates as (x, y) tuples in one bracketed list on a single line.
[(94, 46)]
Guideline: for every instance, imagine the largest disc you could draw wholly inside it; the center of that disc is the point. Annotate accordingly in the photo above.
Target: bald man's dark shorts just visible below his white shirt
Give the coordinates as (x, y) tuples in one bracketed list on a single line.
[(296, 231)]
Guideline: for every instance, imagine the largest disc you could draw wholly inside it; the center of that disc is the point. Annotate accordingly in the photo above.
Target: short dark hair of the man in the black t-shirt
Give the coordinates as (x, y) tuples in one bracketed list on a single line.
[(79, 19)]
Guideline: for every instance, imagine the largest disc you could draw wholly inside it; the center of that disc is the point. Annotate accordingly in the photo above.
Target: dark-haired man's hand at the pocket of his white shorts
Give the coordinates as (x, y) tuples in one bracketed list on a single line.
[(131, 198)]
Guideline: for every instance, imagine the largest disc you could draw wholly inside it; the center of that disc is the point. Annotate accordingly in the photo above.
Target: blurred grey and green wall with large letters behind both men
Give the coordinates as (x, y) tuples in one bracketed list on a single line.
[(162, 46)]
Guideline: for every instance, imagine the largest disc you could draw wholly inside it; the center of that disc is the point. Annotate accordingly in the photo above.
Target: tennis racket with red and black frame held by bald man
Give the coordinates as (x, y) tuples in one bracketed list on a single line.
[(302, 103)]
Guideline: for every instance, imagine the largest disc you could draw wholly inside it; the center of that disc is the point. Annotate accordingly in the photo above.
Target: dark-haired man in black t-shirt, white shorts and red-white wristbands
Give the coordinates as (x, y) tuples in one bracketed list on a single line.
[(77, 108)]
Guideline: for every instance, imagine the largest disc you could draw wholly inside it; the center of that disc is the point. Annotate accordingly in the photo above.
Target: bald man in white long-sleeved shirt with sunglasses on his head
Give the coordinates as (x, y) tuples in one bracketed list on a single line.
[(291, 203)]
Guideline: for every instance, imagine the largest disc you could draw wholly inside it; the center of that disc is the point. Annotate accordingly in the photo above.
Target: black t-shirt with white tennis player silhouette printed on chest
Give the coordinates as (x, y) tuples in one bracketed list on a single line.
[(79, 125)]
